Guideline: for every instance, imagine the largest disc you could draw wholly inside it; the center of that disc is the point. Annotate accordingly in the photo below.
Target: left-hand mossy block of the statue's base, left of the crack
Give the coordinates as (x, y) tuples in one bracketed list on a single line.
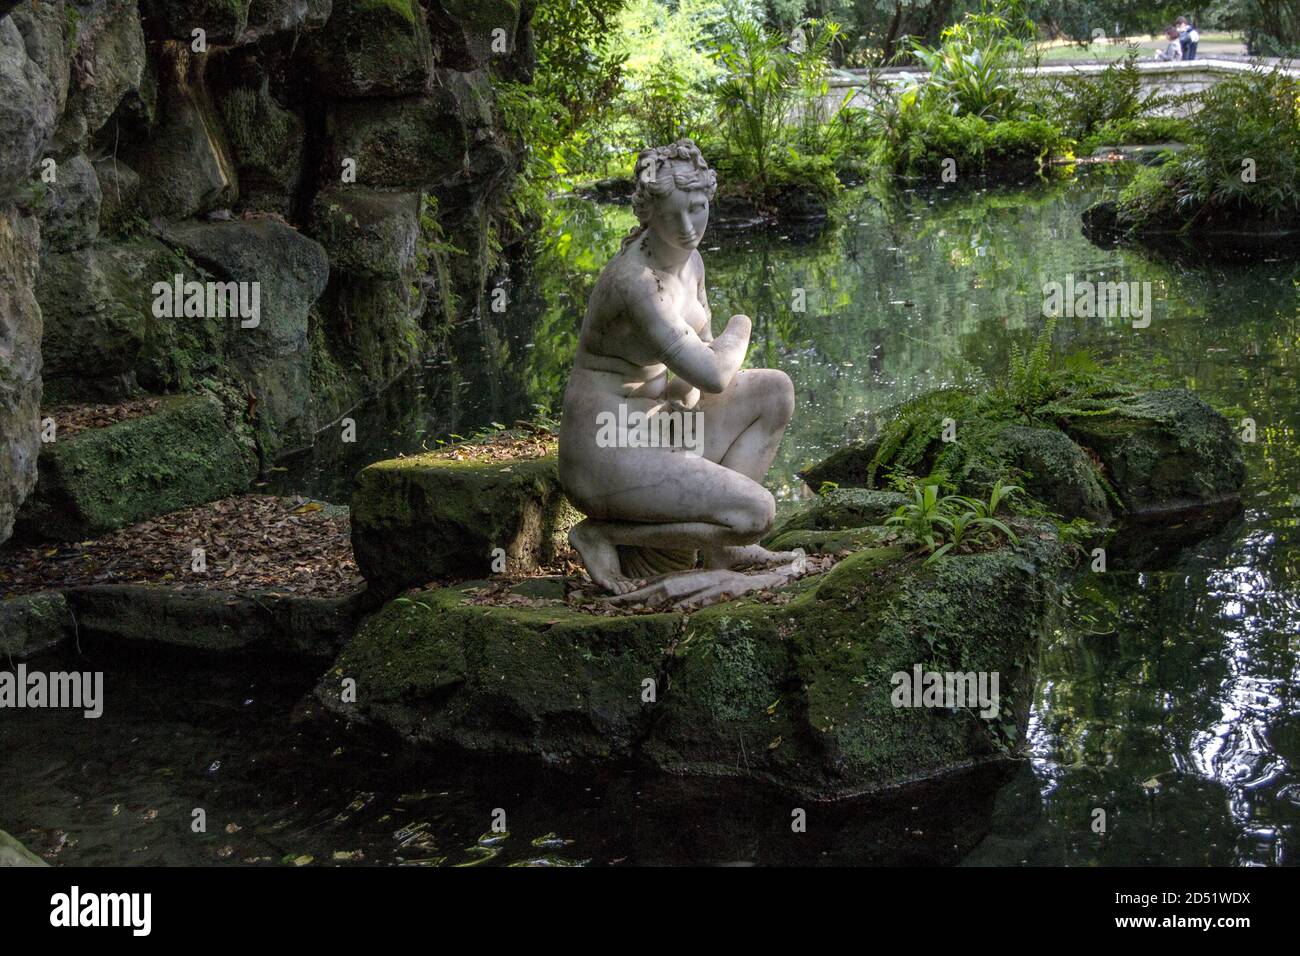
[(545, 682)]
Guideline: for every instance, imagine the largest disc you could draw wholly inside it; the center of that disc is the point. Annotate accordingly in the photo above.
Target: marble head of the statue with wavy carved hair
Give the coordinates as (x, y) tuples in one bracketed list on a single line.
[(673, 191)]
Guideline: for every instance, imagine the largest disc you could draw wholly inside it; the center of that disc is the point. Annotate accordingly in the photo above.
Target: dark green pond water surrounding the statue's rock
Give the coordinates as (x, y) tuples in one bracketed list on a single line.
[(1172, 703)]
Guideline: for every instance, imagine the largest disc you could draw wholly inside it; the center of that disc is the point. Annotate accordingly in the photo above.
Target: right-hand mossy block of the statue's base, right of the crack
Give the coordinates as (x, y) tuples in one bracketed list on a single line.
[(825, 661)]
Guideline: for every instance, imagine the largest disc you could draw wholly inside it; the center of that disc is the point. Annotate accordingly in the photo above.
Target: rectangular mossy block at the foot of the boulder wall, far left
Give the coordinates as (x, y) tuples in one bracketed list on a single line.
[(189, 452)]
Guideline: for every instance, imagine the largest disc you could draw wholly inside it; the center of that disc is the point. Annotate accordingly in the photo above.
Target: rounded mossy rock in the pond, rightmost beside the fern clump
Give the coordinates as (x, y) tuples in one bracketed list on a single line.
[(1165, 452)]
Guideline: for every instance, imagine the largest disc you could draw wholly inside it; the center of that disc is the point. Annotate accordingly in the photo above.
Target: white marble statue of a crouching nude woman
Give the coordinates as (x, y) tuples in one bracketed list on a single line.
[(665, 440)]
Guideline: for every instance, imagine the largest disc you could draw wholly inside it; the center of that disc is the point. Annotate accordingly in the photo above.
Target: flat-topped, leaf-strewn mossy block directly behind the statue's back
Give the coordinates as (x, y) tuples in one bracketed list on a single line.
[(428, 517)]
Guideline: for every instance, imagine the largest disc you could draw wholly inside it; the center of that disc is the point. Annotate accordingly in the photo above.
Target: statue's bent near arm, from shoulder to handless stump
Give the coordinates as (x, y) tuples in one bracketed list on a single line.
[(708, 366)]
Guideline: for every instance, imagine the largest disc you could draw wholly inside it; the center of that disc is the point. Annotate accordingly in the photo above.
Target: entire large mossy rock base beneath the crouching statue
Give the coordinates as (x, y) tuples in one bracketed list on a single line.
[(796, 695)]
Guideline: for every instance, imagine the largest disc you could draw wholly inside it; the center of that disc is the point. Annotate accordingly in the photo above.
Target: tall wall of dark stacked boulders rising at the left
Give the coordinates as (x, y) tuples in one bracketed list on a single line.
[(345, 155)]
